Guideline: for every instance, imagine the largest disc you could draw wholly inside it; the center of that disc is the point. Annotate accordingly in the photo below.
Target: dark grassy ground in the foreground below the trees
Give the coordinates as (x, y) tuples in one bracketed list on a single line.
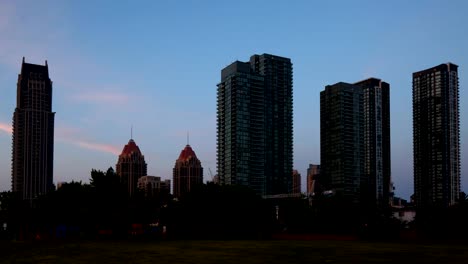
[(244, 252)]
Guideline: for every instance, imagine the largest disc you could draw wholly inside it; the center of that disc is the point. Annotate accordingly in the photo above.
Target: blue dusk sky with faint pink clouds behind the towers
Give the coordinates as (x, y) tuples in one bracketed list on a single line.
[(154, 65)]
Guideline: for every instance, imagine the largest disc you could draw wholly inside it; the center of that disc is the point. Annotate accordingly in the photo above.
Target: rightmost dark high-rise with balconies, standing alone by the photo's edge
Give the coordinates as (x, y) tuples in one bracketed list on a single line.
[(436, 136)]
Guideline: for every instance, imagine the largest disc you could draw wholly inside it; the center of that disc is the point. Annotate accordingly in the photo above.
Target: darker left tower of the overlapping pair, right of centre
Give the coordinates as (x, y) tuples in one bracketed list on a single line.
[(341, 140)]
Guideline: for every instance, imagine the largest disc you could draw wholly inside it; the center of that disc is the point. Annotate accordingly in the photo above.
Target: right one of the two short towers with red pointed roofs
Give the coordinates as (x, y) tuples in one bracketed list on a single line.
[(187, 172)]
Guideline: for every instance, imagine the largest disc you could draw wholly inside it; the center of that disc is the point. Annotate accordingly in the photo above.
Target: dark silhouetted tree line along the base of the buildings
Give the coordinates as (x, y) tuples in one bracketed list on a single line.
[(103, 209)]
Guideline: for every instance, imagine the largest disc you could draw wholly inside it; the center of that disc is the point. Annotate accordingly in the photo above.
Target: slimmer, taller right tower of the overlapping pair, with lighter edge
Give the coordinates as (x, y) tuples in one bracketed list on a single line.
[(376, 107)]
